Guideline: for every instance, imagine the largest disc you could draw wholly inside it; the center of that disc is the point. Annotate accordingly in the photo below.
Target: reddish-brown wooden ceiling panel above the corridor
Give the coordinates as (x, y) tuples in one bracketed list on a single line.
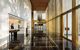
[(39, 5)]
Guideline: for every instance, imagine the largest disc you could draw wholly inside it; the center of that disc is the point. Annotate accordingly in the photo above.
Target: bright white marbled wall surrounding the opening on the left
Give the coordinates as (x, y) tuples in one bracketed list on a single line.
[(21, 8)]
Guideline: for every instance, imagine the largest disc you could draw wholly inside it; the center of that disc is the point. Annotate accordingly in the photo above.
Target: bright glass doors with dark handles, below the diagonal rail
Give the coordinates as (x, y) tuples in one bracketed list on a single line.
[(68, 25)]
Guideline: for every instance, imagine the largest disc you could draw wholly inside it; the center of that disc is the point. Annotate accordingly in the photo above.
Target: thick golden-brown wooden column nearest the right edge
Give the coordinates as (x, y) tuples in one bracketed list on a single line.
[(74, 27)]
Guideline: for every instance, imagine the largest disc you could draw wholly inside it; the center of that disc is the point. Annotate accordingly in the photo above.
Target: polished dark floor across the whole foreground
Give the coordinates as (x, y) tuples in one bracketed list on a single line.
[(39, 42)]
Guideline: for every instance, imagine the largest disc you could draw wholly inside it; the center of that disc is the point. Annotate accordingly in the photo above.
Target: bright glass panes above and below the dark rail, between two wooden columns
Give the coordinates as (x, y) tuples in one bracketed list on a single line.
[(67, 5)]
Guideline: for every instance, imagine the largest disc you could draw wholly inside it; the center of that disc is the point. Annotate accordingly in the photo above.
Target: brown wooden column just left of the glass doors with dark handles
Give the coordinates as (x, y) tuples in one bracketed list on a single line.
[(61, 27)]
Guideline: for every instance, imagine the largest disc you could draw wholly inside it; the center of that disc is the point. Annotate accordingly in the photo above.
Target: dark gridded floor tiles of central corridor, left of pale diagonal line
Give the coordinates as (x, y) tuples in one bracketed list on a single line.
[(41, 42)]
